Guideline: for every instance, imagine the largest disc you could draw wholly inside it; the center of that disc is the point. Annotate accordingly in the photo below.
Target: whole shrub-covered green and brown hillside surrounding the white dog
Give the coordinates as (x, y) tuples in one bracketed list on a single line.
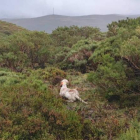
[(104, 67)]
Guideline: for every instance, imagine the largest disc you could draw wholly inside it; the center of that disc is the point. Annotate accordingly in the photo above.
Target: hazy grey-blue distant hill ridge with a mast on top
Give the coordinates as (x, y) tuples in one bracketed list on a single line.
[(51, 22)]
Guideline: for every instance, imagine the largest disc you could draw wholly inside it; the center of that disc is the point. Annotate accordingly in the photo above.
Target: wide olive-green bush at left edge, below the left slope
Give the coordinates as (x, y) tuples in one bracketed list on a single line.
[(25, 49)]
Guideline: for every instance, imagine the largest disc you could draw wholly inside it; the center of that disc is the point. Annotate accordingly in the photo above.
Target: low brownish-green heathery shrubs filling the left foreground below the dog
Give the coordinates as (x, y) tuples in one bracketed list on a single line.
[(28, 112)]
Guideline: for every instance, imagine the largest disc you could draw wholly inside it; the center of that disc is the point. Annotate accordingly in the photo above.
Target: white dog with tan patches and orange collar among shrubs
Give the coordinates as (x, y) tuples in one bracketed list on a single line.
[(70, 94)]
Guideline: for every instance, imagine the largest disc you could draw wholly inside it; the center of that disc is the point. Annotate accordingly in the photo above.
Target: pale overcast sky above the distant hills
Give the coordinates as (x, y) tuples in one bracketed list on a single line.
[(36, 8)]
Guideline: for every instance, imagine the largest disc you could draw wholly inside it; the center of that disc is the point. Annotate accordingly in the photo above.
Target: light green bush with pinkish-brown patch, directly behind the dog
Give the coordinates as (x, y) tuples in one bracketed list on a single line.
[(78, 56)]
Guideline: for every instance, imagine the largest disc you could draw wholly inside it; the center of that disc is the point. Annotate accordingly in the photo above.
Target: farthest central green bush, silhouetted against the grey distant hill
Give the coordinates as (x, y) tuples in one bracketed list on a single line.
[(68, 36)]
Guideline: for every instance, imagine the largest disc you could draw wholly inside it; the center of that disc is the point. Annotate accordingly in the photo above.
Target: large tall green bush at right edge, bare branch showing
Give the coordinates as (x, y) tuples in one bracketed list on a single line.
[(117, 61)]
